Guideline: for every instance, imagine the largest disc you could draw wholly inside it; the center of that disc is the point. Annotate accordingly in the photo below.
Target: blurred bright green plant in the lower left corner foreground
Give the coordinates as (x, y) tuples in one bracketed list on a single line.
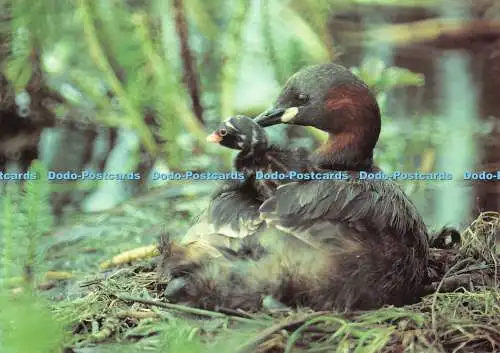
[(28, 323)]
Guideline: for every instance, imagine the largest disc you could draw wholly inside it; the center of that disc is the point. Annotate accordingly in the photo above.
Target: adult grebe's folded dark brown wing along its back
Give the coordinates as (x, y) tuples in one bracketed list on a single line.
[(365, 208)]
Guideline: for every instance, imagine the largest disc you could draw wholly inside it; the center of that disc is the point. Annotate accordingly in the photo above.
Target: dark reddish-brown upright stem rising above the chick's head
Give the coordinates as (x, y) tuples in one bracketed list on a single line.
[(190, 74)]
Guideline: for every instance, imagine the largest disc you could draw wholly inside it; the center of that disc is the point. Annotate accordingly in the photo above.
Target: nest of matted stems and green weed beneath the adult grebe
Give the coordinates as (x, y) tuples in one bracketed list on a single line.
[(461, 313)]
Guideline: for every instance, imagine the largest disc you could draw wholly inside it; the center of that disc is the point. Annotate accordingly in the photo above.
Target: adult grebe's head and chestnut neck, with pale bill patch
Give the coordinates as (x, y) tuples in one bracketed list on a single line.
[(329, 97)]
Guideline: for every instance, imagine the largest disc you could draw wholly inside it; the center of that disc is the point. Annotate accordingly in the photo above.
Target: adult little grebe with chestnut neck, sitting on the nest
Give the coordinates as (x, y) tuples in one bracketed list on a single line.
[(365, 243)]
